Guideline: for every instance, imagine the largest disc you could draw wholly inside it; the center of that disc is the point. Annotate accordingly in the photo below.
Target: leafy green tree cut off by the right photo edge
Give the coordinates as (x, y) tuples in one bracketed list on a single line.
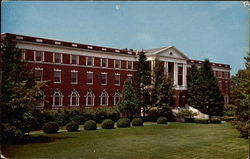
[(240, 97)]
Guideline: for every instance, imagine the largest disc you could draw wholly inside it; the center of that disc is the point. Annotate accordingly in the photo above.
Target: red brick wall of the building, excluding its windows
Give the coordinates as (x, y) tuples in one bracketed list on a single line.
[(30, 45)]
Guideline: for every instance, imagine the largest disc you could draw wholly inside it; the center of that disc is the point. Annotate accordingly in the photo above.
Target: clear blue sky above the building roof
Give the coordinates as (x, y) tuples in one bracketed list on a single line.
[(215, 30)]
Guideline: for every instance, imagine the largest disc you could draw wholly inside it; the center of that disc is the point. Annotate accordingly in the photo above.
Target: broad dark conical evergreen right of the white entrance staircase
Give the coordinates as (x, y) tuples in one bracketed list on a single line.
[(209, 96)]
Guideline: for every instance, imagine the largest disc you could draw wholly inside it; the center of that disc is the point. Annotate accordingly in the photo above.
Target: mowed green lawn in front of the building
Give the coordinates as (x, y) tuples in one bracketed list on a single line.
[(173, 141)]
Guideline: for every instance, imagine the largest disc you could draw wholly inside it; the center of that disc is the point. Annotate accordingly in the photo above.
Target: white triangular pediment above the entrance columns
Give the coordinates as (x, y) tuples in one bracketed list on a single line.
[(171, 52)]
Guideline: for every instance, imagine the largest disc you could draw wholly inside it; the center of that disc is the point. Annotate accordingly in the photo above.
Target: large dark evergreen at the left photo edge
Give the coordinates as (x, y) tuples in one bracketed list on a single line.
[(18, 89)]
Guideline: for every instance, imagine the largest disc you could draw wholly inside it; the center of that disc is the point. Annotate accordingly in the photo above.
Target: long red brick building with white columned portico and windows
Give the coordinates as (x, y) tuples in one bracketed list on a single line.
[(83, 75)]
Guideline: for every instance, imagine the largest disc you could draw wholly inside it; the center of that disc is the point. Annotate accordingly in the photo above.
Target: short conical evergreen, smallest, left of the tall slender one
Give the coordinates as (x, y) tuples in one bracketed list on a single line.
[(129, 103)]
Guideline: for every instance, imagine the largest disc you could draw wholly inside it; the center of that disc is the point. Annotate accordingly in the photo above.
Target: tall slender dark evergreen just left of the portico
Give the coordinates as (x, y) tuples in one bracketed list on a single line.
[(141, 81)]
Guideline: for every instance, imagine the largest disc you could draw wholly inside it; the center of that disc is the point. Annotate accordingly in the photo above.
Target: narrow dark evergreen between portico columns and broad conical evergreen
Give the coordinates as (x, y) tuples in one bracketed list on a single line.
[(193, 86)]
